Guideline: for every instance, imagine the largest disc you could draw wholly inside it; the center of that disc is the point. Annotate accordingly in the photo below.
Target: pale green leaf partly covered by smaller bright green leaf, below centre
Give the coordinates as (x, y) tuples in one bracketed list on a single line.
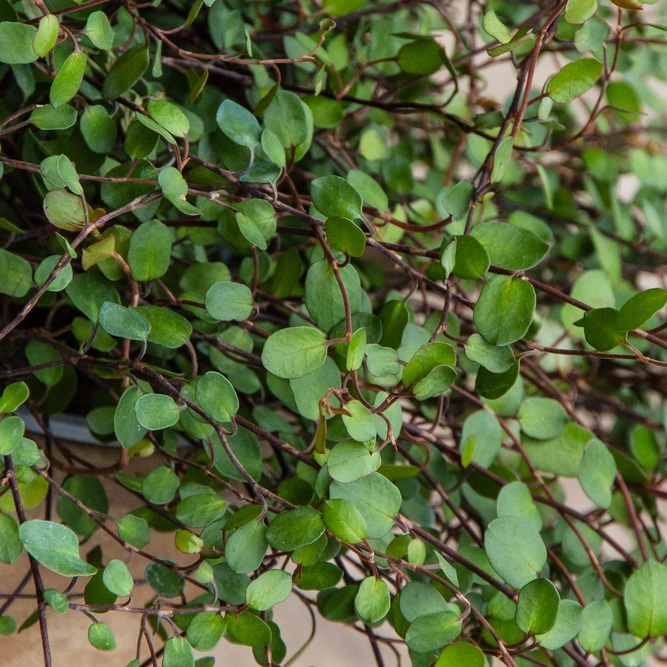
[(375, 497)]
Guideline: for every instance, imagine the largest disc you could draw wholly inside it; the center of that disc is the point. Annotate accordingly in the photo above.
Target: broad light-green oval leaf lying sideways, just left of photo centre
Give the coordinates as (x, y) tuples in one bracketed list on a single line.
[(294, 352)]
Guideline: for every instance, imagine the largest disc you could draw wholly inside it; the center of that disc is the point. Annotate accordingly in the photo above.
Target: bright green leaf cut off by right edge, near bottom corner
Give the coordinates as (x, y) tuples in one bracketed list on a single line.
[(644, 597)]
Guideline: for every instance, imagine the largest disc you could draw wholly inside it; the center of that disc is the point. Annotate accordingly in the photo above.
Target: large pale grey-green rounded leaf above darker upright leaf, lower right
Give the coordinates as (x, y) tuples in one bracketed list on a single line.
[(515, 550)]
